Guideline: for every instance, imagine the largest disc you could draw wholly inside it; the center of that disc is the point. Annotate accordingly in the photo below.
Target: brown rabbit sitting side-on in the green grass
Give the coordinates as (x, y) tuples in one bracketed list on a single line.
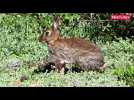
[(71, 50)]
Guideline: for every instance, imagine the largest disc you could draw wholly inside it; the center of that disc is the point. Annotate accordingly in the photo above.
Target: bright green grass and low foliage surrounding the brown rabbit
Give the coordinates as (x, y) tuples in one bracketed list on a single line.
[(18, 42)]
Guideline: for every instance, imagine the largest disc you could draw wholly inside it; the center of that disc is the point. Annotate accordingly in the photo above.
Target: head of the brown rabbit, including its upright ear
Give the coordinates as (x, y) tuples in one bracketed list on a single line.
[(51, 34)]
